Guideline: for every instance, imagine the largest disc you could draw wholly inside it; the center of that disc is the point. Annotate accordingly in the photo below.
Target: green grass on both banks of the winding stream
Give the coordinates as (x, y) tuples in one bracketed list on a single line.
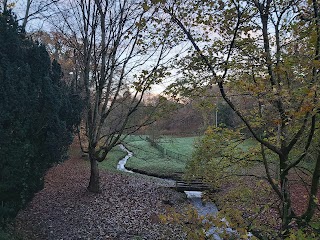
[(149, 160)]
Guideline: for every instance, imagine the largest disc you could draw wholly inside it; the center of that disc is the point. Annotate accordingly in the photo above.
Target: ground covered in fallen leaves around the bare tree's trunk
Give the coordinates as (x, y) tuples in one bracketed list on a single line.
[(127, 208)]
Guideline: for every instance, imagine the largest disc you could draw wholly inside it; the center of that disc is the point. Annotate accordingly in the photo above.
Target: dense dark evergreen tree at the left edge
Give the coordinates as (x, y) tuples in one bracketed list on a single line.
[(37, 116)]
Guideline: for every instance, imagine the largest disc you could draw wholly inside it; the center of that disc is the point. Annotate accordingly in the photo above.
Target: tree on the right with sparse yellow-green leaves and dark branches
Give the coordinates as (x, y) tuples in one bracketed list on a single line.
[(265, 53)]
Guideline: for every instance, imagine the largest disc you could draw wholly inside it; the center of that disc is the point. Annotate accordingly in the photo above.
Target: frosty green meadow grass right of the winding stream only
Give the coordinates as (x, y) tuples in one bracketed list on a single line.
[(148, 159)]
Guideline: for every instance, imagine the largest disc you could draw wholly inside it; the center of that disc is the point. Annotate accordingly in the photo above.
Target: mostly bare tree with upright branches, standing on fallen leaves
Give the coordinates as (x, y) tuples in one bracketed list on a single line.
[(118, 54)]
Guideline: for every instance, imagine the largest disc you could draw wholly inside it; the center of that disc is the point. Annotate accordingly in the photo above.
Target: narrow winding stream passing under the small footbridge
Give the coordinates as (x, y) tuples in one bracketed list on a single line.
[(203, 208)]
